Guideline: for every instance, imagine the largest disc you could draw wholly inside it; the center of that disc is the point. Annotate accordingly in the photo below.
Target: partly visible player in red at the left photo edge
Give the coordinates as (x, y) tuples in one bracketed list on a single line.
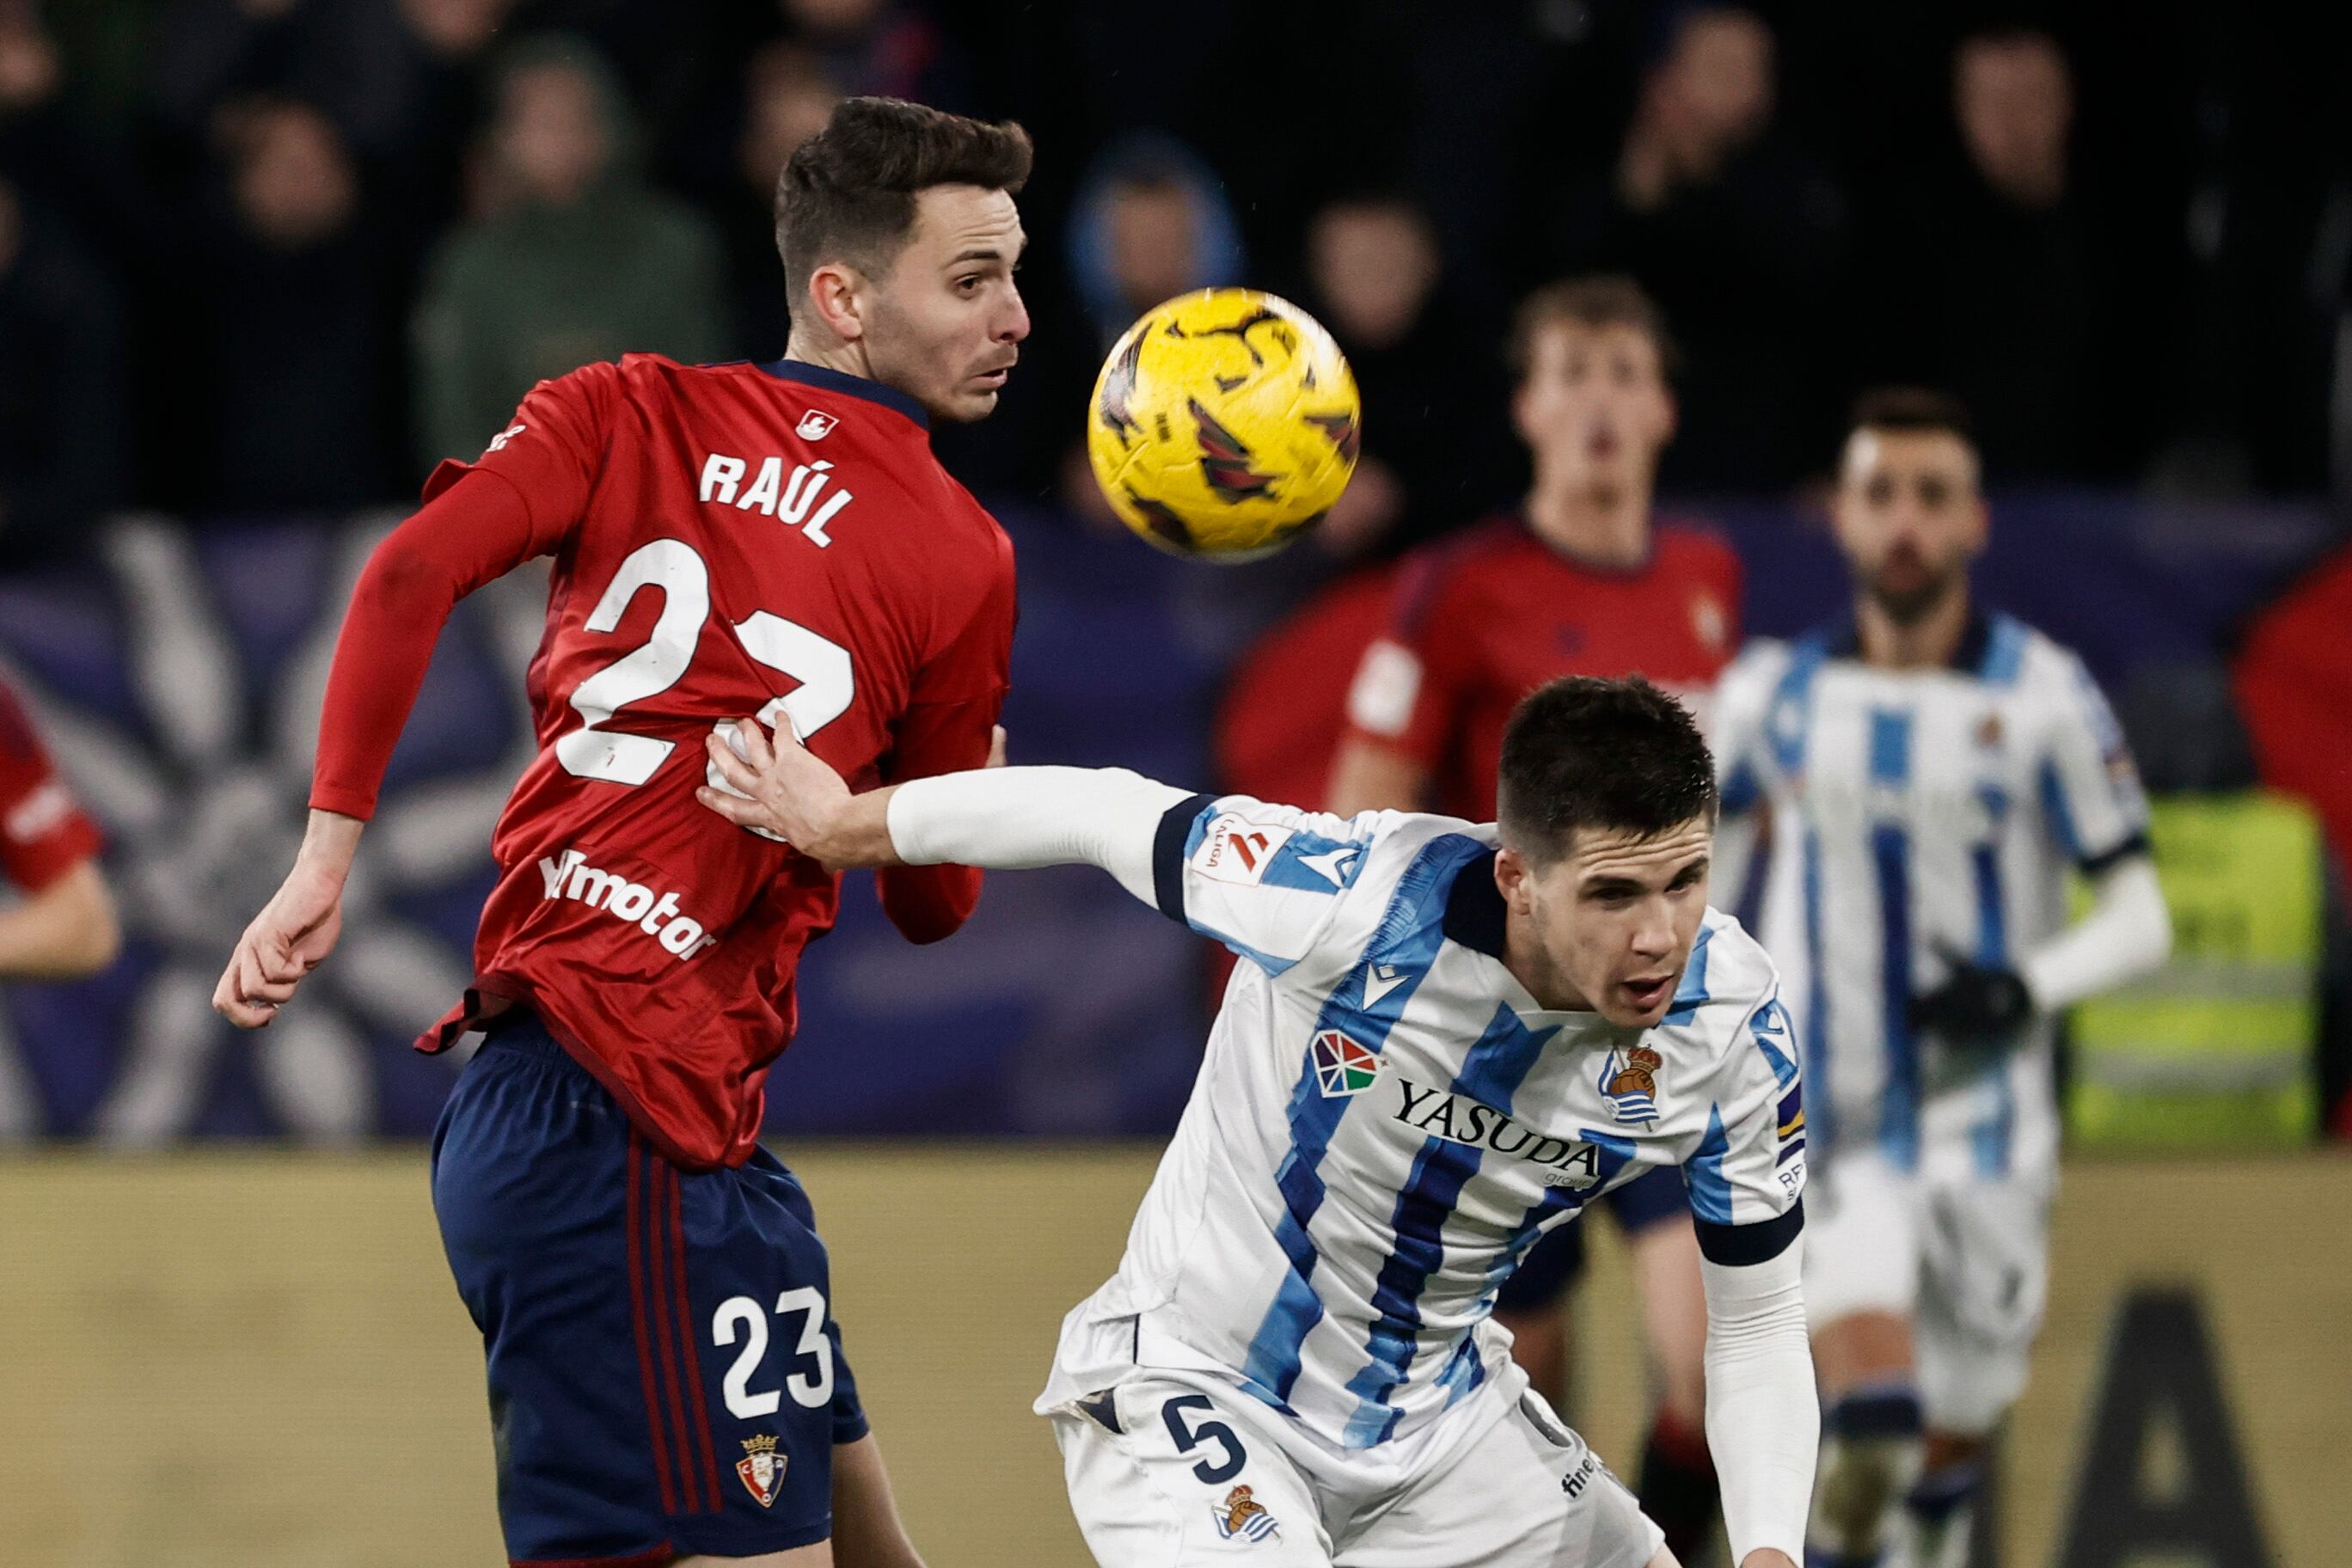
[(65, 927)]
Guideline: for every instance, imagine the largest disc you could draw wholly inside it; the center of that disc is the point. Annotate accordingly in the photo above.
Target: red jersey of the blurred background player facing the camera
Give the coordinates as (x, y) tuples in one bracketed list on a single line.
[(1485, 619)]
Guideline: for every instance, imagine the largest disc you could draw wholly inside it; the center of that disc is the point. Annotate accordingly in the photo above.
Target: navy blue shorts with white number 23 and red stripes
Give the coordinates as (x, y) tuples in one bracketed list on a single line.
[(664, 1369)]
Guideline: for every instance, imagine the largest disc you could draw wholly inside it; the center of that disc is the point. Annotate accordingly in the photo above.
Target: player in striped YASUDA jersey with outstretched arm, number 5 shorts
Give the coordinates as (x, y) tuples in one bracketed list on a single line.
[(1443, 1043)]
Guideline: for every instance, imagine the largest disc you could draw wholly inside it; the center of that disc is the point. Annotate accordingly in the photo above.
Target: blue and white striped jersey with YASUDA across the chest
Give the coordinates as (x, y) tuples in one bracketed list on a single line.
[(1387, 1120)]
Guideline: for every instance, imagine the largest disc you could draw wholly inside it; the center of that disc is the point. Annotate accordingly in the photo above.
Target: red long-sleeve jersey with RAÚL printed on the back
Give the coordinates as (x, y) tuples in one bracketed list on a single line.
[(728, 542)]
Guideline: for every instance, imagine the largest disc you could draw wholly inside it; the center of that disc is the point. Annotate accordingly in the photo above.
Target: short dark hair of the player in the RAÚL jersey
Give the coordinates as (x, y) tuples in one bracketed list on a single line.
[(848, 194)]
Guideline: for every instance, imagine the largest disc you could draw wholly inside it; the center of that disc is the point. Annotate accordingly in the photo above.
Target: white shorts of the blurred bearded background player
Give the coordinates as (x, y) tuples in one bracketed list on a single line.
[(1965, 1257)]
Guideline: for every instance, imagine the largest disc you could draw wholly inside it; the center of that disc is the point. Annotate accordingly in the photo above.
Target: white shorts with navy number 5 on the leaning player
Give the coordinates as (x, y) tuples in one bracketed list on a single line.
[(1201, 1473)]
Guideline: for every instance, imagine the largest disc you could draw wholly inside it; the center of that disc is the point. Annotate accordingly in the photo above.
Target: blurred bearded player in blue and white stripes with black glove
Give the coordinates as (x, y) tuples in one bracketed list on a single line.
[(1930, 777)]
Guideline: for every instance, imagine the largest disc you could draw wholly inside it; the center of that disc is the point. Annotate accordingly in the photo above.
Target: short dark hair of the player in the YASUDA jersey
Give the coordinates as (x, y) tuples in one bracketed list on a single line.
[(1598, 753)]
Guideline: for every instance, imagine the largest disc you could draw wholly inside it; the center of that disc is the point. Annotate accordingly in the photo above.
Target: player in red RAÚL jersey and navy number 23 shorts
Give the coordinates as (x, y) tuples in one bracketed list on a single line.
[(667, 1381)]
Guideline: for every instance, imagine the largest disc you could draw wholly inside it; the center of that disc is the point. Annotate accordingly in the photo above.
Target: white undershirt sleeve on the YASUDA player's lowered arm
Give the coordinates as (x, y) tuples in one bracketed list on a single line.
[(1763, 1412)]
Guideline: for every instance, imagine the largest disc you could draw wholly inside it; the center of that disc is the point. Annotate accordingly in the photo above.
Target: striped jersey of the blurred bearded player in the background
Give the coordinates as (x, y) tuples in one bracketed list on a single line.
[(1920, 817)]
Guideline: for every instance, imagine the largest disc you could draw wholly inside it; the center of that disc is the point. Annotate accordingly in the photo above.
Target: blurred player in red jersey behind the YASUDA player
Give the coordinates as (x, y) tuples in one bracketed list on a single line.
[(1577, 582)]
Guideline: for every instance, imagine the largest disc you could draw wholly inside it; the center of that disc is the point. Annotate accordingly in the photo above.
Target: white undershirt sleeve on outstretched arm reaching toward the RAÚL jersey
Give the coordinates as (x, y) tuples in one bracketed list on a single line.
[(1017, 819)]
